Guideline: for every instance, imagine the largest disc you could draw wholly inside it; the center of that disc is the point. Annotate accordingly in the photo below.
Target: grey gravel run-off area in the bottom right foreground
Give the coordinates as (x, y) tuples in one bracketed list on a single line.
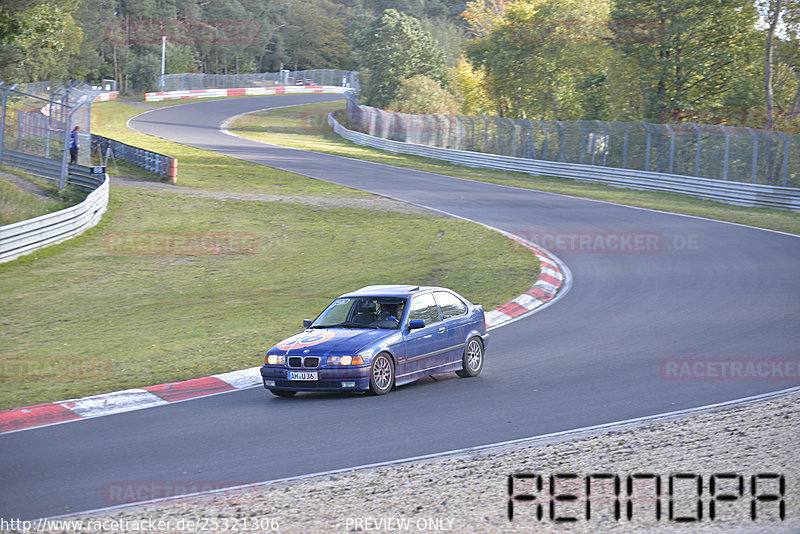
[(468, 492)]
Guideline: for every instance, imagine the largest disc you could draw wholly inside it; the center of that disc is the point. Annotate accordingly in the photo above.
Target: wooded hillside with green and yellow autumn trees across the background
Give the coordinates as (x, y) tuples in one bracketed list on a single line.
[(729, 61)]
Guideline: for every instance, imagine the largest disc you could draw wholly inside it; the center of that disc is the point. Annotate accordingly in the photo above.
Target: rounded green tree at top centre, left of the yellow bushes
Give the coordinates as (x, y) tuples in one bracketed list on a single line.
[(396, 48)]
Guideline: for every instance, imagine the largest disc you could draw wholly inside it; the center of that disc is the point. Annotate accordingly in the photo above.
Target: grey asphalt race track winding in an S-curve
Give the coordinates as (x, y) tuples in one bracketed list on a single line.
[(704, 290)]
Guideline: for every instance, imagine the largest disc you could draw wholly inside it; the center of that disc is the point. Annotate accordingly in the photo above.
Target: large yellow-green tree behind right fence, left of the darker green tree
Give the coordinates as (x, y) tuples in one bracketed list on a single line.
[(543, 57)]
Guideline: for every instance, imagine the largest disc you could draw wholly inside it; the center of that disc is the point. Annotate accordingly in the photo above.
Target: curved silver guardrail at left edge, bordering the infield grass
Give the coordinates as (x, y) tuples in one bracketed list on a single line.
[(24, 237)]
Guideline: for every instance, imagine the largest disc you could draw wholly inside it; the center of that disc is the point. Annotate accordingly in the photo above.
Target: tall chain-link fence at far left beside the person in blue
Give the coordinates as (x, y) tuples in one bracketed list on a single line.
[(37, 122)]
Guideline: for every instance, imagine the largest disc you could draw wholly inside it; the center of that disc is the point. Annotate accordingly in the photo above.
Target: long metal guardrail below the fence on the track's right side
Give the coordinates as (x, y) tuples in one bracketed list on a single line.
[(743, 194)]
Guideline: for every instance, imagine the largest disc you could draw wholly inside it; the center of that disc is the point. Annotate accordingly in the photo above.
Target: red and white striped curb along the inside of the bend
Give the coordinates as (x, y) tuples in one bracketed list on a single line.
[(551, 279)]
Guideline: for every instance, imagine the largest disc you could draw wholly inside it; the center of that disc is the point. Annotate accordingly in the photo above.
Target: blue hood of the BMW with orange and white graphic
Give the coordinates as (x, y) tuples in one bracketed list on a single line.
[(331, 341)]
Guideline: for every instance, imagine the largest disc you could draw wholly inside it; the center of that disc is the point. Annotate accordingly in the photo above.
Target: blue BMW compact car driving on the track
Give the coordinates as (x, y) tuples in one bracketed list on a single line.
[(379, 337)]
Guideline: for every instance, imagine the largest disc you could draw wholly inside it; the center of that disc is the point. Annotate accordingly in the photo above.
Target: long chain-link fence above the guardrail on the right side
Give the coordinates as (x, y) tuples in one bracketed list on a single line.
[(688, 149)]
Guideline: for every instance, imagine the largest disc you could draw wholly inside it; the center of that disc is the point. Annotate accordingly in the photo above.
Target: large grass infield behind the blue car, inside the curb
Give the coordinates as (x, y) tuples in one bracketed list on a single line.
[(110, 310)]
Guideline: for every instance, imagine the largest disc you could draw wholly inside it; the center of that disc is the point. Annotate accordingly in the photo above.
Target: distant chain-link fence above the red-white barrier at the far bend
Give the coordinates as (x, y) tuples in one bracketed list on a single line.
[(187, 82)]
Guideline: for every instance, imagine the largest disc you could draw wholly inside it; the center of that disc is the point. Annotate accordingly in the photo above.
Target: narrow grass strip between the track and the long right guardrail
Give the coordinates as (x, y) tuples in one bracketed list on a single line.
[(306, 127)]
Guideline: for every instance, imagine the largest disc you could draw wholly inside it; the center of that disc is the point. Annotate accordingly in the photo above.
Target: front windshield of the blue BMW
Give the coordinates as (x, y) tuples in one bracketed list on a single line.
[(362, 312)]
